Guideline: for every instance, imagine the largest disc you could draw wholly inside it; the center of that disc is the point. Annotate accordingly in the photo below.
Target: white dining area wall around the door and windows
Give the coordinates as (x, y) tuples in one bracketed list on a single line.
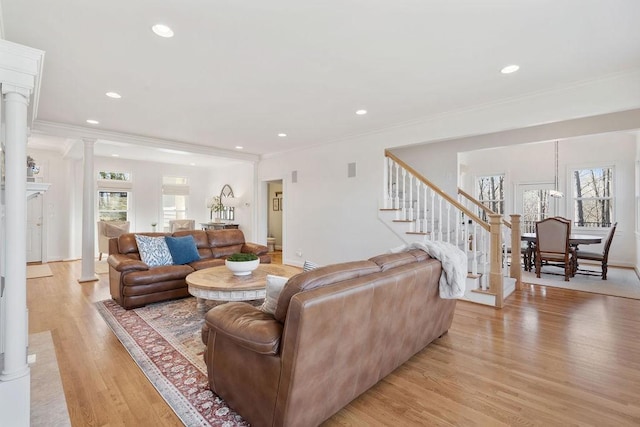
[(529, 163)]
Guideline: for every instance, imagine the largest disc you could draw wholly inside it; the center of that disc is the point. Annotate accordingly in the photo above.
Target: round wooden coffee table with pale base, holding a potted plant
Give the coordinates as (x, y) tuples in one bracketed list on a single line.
[(219, 283)]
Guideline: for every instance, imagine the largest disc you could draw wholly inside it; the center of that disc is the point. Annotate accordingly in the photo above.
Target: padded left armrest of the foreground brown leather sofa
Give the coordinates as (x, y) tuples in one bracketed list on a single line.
[(245, 325)]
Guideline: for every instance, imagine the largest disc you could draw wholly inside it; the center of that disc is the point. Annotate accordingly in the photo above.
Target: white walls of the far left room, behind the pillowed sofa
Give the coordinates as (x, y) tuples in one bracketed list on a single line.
[(62, 205)]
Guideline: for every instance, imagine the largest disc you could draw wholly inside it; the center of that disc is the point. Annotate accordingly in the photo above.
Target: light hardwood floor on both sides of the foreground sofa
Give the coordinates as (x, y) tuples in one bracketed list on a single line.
[(551, 357)]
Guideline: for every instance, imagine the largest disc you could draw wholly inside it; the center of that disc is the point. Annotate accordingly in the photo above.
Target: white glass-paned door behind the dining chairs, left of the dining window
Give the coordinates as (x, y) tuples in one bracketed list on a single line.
[(533, 204)]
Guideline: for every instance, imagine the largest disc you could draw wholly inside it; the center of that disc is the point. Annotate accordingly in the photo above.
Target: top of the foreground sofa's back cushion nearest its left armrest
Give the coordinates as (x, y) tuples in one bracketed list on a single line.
[(320, 277)]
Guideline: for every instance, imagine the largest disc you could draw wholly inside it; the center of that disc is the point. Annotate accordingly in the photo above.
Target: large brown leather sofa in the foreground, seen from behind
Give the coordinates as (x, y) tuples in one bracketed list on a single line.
[(336, 332)]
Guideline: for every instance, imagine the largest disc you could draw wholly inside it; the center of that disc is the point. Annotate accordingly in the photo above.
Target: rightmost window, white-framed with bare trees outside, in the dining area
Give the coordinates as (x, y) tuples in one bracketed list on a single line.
[(593, 197)]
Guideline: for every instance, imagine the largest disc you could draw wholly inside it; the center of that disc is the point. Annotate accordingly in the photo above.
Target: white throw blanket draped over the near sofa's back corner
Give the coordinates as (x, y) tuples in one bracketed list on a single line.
[(454, 265)]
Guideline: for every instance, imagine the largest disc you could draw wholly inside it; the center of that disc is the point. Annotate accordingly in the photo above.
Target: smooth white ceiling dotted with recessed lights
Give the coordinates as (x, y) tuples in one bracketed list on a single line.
[(239, 73)]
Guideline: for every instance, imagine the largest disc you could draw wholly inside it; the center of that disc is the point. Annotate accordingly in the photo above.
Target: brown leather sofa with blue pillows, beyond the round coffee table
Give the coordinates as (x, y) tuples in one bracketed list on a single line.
[(133, 284)]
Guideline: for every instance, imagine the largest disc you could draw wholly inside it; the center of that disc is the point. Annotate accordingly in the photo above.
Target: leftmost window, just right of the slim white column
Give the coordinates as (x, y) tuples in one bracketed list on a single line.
[(114, 196)]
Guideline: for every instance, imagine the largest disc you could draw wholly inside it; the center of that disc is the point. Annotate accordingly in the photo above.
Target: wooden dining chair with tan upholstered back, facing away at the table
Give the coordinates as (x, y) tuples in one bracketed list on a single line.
[(552, 245)]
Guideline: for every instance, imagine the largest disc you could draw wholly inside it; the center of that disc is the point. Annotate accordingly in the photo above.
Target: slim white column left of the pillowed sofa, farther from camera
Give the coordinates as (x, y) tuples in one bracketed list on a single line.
[(88, 223)]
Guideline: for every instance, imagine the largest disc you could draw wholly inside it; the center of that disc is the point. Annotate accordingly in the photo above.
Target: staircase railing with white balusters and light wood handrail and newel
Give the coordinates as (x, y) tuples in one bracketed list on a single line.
[(431, 212)]
